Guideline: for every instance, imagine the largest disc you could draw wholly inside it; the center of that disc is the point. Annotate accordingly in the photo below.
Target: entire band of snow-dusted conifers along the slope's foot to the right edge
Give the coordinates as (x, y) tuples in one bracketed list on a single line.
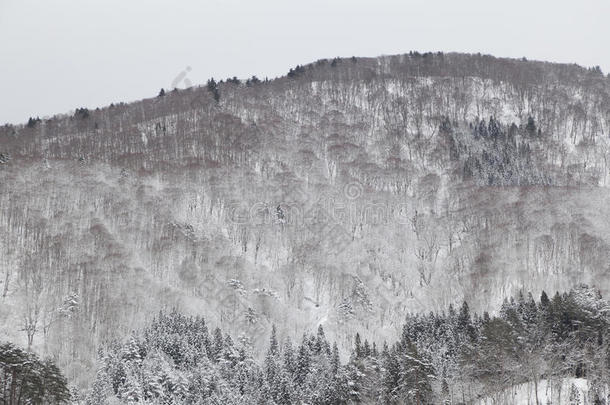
[(442, 358)]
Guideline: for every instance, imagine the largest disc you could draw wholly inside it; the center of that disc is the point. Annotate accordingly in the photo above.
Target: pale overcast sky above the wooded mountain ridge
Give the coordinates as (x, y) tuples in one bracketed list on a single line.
[(57, 55)]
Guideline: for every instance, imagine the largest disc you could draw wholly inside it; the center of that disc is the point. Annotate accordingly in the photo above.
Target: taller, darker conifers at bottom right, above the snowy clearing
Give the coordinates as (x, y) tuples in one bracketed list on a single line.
[(553, 339)]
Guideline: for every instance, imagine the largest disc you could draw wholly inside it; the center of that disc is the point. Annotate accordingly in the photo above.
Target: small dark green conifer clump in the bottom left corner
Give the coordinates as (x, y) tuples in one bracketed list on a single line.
[(25, 379)]
